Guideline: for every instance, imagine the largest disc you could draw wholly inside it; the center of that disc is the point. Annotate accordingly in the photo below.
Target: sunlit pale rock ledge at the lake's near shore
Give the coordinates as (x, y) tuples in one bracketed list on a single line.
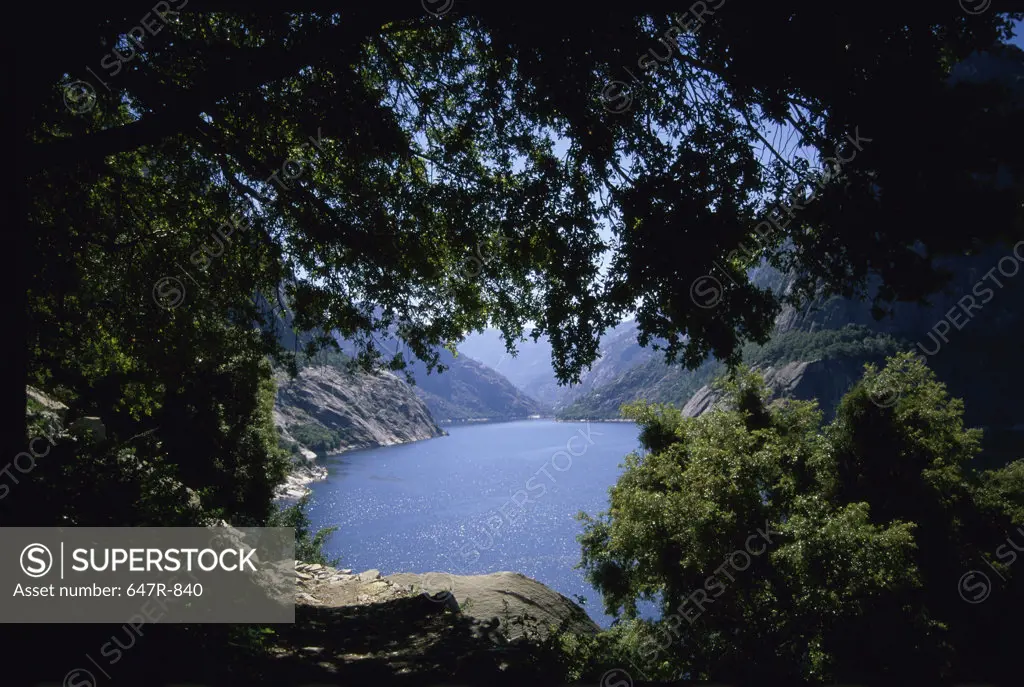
[(483, 598)]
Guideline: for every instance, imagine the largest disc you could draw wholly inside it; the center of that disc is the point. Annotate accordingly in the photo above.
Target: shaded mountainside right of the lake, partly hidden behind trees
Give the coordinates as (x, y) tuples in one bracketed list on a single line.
[(970, 334)]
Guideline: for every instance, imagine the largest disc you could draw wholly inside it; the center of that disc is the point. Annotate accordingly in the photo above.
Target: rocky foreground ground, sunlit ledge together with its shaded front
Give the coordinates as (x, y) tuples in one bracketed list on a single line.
[(367, 630)]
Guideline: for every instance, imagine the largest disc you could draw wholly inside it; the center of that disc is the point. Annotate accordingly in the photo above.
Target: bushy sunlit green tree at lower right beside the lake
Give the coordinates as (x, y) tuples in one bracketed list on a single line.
[(848, 542)]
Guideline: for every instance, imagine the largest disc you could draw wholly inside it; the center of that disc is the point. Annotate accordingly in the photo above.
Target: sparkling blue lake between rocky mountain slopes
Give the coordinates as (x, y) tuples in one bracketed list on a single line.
[(487, 498)]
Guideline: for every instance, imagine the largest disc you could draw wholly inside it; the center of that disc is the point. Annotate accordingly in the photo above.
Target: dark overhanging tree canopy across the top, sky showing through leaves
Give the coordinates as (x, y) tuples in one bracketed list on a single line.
[(430, 145)]
